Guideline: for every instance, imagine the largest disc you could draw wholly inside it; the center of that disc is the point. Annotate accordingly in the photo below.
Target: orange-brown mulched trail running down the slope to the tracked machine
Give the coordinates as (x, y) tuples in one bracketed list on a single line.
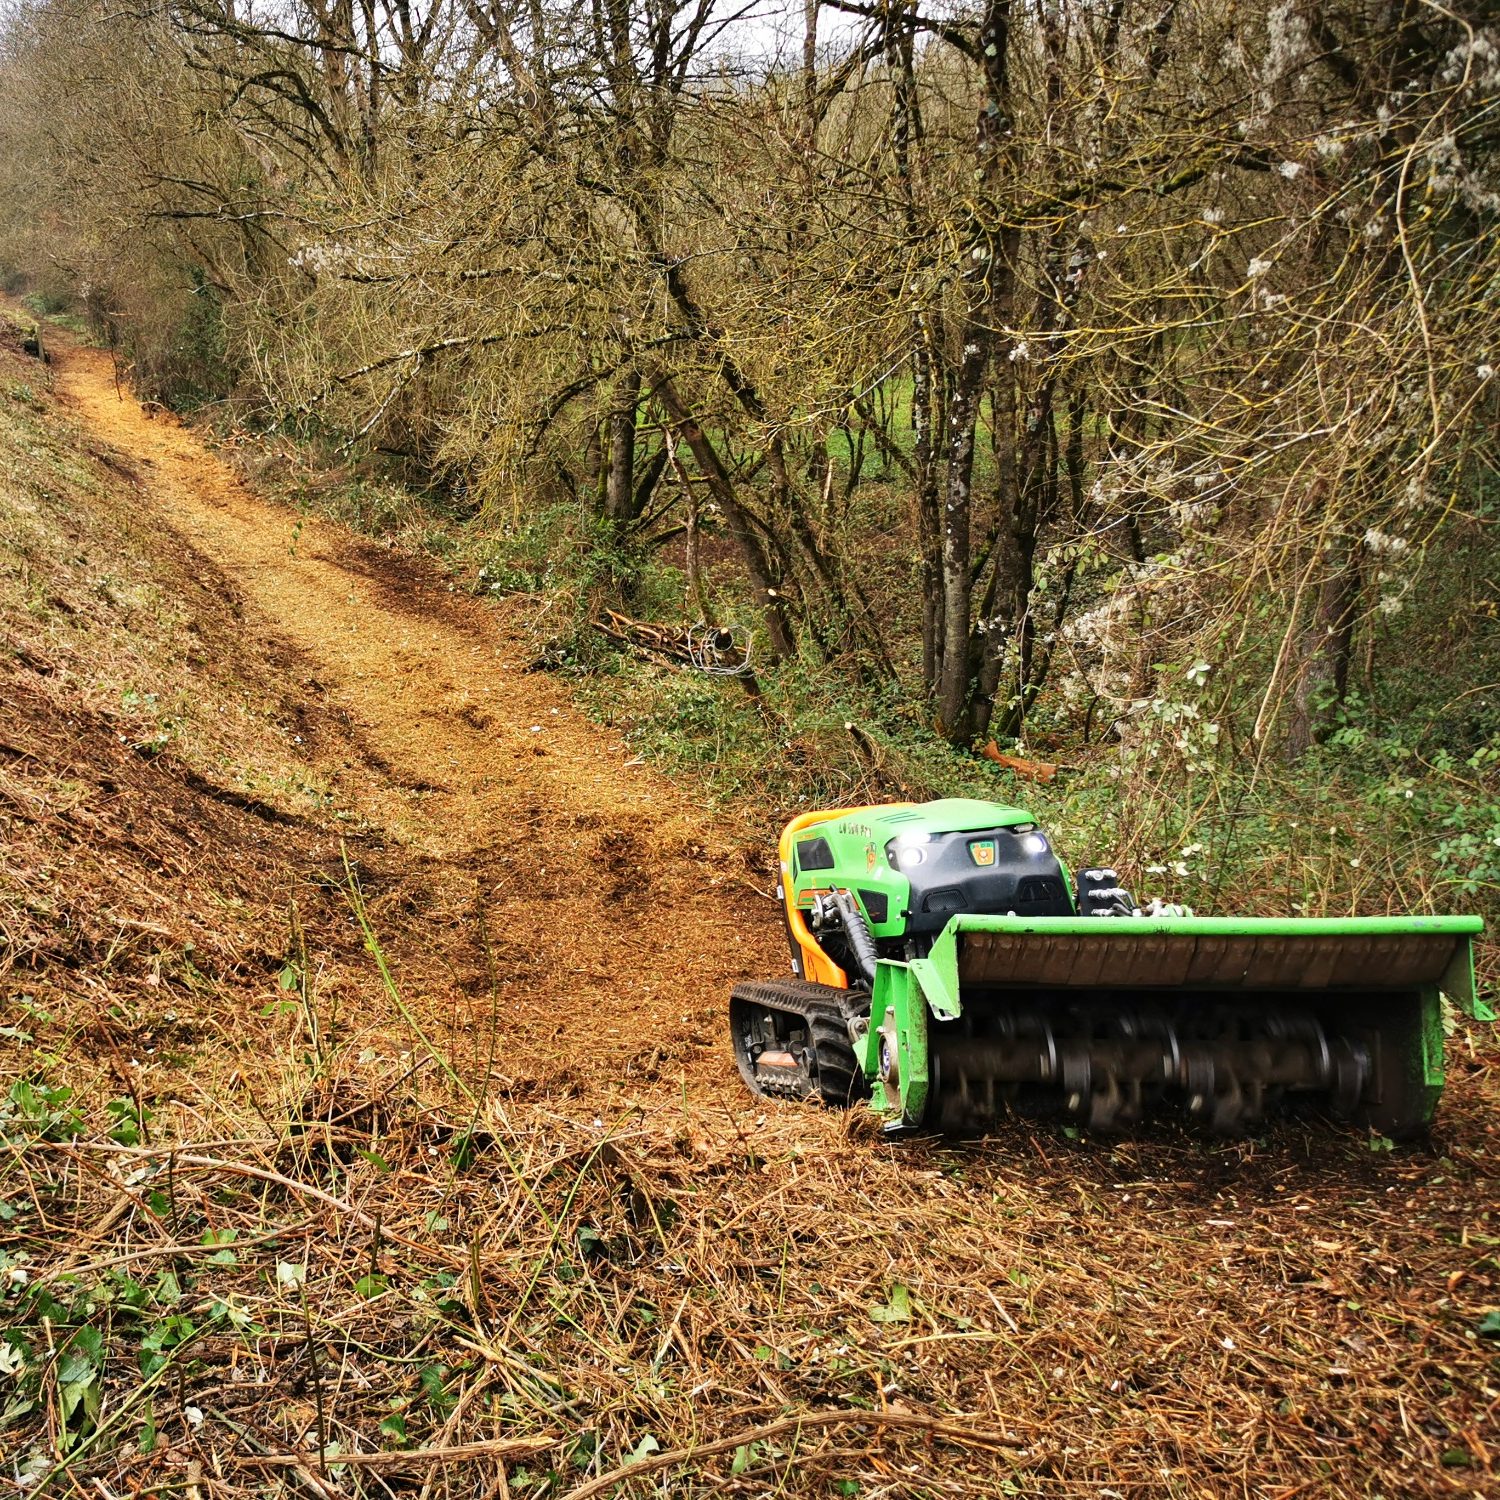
[(619, 916)]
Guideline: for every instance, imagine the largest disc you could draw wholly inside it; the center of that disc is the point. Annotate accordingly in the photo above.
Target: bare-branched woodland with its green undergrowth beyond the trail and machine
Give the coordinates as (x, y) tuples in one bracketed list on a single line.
[(1112, 380)]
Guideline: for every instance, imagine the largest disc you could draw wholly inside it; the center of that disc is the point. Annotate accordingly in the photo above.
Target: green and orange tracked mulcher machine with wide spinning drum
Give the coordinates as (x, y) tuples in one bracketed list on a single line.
[(949, 967)]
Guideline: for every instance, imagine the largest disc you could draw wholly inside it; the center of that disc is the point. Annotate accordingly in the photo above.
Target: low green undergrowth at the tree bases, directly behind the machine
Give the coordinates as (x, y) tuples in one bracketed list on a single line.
[(1376, 821)]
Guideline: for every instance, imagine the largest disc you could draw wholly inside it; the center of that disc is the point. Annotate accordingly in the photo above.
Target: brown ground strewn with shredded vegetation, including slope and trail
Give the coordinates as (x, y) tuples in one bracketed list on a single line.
[(371, 1126)]
